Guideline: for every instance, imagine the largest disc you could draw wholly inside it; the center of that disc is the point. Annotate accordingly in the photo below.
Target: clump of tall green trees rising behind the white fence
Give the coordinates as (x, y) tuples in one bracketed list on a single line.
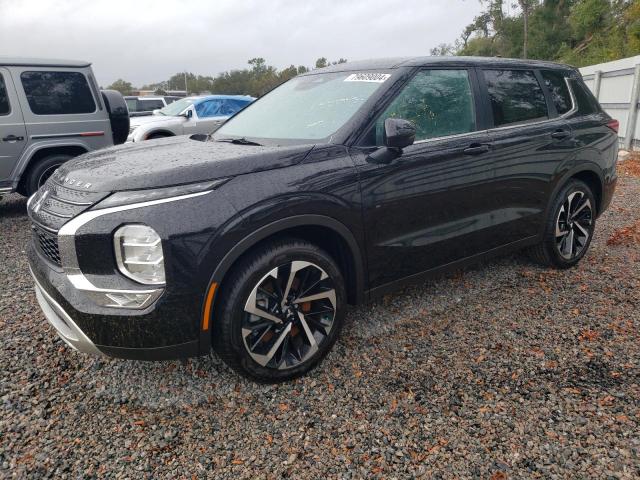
[(579, 32)]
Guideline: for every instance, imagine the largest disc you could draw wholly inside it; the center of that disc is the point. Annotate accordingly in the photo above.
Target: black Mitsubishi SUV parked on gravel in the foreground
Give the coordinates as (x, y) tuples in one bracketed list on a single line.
[(337, 186)]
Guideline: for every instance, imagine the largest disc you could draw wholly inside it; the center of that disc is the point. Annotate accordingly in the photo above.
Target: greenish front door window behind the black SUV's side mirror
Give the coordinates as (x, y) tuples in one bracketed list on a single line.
[(438, 102)]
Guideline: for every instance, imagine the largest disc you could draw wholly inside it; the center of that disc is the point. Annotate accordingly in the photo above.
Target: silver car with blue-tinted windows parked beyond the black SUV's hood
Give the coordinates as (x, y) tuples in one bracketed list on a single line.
[(187, 116)]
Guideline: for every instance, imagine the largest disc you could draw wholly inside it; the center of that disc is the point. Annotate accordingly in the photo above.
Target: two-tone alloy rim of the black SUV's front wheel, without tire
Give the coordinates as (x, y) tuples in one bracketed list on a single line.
[(288, 315)]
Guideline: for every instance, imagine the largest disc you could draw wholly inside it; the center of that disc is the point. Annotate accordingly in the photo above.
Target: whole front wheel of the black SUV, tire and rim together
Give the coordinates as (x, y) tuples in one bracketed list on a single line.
[(260, 339)]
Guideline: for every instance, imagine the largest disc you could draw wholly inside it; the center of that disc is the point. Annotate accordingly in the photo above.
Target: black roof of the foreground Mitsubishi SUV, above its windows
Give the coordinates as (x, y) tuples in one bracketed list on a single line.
[(392, 63)]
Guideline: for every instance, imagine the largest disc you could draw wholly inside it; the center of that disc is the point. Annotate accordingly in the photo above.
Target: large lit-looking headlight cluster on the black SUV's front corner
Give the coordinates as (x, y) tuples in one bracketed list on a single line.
[(139, 254)]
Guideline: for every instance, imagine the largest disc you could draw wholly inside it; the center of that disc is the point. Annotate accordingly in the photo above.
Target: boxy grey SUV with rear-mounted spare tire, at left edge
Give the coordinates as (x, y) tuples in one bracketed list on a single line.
[(50, 112)]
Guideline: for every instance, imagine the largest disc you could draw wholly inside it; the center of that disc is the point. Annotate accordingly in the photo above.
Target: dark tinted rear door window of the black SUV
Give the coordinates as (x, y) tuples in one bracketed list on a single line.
[(516, 96)]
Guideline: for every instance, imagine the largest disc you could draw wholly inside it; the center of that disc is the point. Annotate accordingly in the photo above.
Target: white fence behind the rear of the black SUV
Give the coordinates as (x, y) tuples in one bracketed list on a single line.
[(616, 85)]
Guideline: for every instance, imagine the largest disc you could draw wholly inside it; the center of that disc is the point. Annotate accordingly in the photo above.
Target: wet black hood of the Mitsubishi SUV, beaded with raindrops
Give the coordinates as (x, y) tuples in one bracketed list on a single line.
[(173, 161)]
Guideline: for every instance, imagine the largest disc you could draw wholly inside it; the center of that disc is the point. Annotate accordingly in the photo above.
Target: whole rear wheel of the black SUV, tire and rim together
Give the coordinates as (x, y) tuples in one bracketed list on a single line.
[(567, 237)]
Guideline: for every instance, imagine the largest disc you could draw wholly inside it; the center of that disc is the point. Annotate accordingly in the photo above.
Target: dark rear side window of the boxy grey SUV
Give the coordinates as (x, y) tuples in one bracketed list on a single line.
[(57, 93)]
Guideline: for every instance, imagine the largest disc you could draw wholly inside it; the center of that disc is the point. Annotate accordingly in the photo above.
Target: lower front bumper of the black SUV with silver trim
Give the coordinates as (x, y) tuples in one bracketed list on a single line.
[(163, 331)]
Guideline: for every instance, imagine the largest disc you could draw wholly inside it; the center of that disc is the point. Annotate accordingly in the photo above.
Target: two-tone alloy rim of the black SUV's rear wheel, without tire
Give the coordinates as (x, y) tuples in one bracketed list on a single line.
[(574, 225)]
